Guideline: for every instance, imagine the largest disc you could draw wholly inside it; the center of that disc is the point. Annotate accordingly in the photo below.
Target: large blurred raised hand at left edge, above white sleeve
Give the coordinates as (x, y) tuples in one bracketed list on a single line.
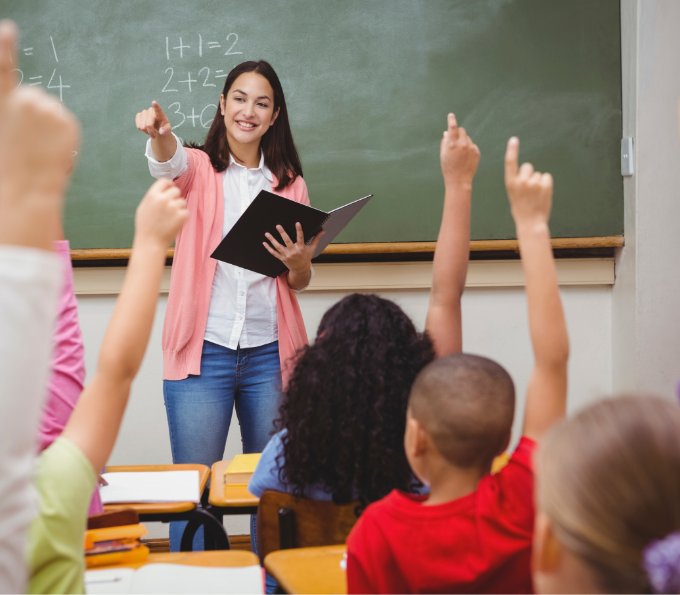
[(38, 139)]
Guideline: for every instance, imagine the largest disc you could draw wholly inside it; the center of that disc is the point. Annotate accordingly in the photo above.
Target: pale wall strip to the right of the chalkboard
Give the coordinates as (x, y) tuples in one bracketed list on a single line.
[(646, 316)]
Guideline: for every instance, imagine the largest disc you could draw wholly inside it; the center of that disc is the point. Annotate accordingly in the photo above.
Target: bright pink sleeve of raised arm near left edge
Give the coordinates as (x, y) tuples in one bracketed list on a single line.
[(68, 364)]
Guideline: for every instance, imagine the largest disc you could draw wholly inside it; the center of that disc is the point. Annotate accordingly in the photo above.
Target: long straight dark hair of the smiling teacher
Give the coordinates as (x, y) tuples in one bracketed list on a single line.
[(278, 148)]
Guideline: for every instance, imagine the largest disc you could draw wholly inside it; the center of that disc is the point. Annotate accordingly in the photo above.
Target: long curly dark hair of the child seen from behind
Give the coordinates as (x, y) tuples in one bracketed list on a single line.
[(345, 407)]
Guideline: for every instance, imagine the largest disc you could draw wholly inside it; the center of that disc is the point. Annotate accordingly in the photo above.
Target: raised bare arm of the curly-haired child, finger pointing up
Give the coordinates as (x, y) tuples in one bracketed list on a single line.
[(459, 159)]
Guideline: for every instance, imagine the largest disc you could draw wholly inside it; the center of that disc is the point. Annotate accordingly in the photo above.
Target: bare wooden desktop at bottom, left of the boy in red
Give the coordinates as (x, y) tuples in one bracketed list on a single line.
[(309, 571)]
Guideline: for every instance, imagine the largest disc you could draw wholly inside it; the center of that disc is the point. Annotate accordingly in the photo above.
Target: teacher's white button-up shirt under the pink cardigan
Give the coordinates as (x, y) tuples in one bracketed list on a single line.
[(242, 303)]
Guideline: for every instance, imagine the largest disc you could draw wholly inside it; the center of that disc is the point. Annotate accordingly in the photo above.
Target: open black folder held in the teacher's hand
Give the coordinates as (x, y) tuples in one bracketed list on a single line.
[(242, 246)]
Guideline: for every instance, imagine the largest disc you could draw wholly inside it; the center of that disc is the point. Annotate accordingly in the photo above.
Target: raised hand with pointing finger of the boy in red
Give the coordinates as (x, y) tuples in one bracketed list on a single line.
[(529, 191)]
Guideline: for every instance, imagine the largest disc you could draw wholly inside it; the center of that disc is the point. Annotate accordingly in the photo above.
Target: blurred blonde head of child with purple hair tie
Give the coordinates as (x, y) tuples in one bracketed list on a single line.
[(609, 483)]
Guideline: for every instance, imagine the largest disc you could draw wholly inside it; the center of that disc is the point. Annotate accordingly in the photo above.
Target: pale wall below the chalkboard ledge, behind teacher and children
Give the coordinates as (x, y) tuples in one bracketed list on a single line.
[(494, 324)]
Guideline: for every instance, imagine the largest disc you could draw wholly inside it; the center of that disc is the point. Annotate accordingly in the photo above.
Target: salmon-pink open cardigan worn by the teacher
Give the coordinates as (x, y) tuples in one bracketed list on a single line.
[(193, 271)]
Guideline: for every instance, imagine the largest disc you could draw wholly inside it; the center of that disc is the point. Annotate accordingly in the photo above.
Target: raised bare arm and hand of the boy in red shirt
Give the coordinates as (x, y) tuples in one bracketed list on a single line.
[(530, 195)]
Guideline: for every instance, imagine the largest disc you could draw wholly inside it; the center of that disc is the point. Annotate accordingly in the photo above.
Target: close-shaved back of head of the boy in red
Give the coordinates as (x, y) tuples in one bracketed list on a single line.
[(466, 404)]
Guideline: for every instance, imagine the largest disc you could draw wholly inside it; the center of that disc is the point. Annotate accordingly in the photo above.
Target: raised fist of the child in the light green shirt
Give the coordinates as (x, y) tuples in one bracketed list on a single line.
[(160, 215)]
